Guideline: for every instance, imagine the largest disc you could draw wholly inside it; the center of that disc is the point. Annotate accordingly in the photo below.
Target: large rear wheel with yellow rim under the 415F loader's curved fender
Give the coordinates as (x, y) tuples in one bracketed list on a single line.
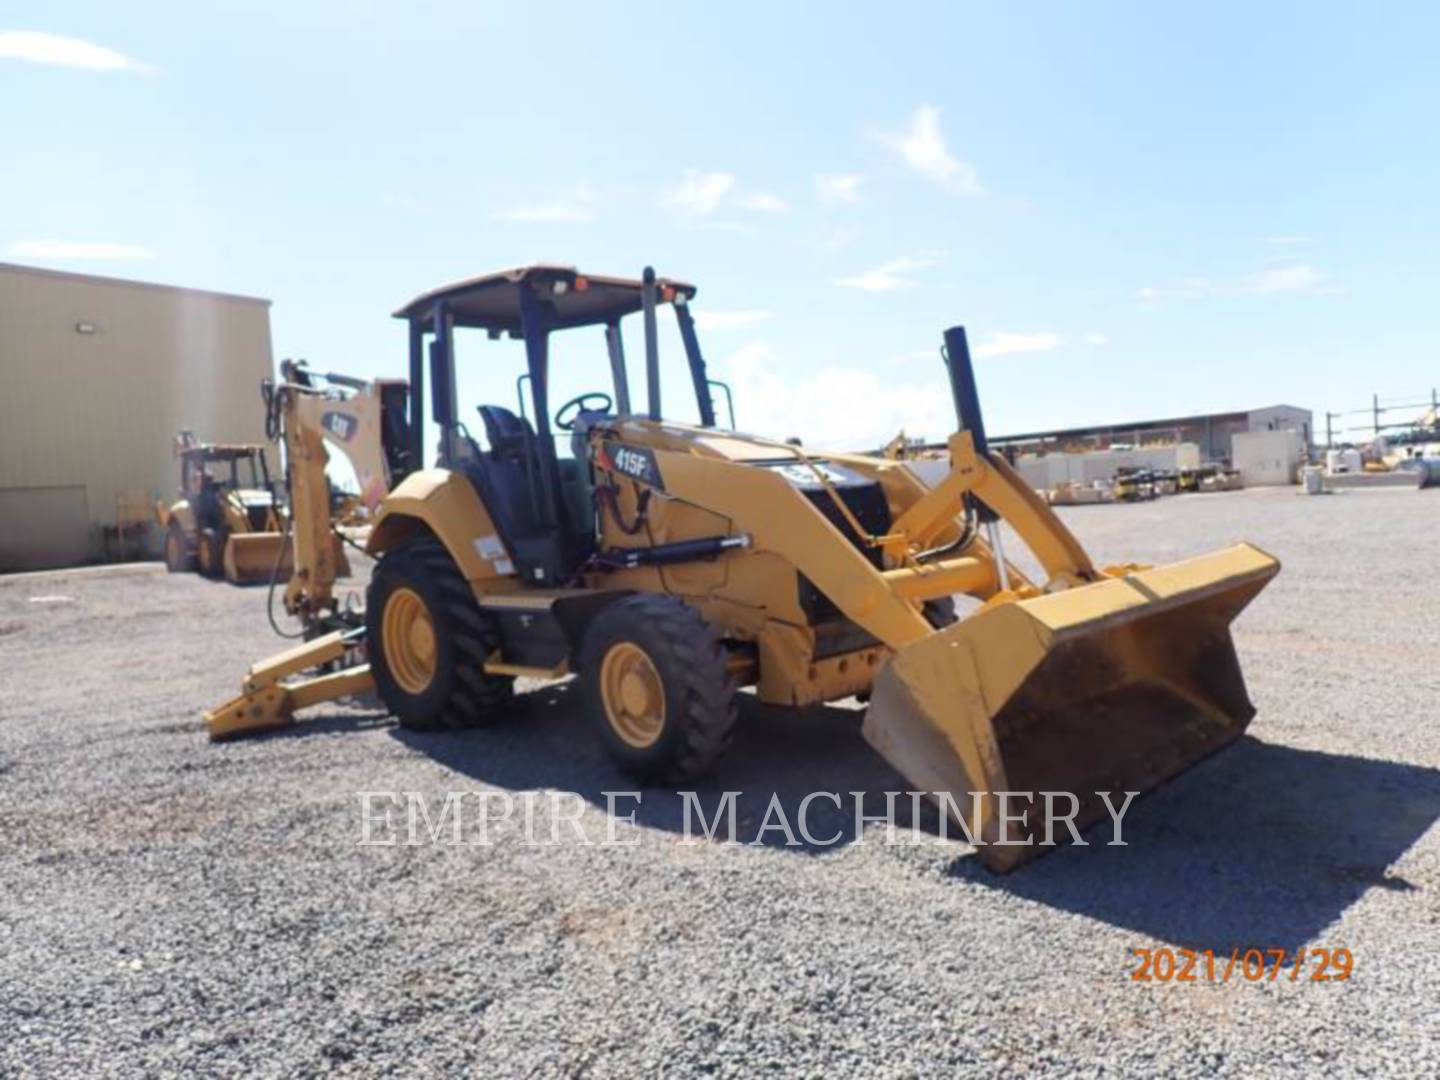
[(428, 643)]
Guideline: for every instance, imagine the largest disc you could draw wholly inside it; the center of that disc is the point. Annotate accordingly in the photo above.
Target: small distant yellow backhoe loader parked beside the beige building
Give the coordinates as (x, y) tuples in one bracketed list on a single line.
[(227, 498)]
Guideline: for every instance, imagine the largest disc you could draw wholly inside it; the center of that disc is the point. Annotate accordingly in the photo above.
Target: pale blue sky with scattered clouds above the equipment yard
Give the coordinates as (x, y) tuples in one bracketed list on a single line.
[(1135, 210)]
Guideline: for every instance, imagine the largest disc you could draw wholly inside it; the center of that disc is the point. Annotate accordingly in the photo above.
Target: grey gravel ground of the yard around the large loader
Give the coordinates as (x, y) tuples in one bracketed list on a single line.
[(178, 908)]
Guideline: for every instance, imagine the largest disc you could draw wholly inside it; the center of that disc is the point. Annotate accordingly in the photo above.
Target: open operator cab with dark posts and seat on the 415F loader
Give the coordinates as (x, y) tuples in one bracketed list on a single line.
[(544, 505)]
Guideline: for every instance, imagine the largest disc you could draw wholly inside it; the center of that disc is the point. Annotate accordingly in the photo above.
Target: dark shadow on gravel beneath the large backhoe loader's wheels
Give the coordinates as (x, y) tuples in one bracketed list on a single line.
[(777, 752)]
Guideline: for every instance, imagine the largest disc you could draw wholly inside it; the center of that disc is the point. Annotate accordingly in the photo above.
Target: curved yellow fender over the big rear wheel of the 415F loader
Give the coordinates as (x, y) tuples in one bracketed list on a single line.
[(446, 505)]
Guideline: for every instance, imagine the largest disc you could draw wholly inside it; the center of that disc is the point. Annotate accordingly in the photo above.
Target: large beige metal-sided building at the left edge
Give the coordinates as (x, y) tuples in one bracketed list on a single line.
[(99, 377)]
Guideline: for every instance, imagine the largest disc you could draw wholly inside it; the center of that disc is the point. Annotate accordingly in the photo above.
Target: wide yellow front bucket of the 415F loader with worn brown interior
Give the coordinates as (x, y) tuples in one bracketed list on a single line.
[(1108, 688)]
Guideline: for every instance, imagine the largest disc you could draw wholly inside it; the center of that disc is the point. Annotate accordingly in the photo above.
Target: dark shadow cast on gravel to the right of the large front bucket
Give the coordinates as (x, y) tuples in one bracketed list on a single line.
[(1262, 846)]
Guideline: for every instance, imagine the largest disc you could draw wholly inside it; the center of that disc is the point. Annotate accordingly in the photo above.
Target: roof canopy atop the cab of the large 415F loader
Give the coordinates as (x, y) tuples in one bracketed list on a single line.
[(493, 302)]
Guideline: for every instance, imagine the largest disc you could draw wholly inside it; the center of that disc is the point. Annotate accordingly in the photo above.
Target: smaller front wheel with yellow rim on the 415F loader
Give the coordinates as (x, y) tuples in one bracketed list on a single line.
[(657, 689)]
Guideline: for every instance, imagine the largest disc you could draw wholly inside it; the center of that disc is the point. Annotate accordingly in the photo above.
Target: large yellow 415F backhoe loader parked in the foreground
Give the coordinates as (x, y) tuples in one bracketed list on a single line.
[(669, 564)]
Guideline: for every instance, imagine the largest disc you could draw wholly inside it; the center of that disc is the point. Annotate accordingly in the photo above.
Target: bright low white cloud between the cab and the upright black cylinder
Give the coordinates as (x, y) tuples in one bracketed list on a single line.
[(837, 408)]
